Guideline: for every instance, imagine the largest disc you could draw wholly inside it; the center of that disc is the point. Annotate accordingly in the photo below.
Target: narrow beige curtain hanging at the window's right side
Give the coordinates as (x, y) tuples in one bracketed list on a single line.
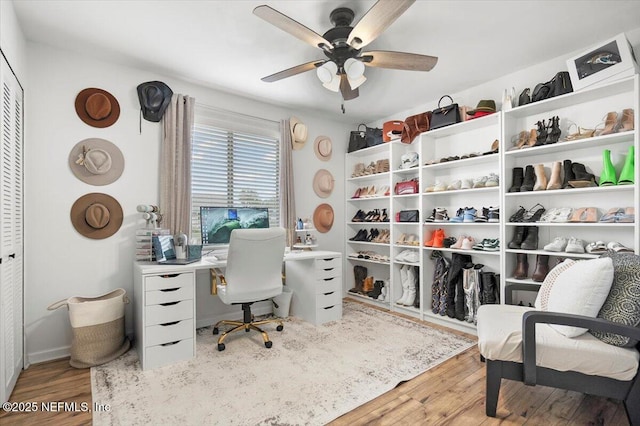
[(288, 200)]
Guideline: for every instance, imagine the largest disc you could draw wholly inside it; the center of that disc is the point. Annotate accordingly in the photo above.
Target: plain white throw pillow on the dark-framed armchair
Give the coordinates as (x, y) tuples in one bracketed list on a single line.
[(581, 290)]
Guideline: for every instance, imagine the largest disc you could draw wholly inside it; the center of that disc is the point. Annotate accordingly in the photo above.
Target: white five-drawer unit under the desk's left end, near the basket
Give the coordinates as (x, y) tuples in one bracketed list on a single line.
[(164, 310)]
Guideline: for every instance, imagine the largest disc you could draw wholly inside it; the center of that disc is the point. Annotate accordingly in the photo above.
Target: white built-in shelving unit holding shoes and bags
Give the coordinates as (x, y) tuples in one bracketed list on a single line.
[(585, 108)]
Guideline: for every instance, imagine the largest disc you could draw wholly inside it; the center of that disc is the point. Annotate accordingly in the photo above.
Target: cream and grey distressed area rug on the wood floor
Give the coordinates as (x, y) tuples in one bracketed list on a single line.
[(310, 376)]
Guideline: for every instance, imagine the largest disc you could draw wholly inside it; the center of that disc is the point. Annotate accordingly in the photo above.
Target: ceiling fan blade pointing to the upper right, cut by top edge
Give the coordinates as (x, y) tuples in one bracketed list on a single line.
[(376, 20)]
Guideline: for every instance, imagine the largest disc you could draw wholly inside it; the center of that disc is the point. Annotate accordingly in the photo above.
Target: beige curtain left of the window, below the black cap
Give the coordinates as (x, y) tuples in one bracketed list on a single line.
[(175, 165)]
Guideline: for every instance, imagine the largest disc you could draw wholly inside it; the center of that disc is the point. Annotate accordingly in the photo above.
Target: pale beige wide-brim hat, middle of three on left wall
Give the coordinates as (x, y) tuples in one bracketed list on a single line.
[(96, 161)]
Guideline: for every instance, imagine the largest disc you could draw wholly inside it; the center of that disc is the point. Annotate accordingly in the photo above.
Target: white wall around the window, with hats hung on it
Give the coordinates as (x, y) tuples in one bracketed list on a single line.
[(59, 262)]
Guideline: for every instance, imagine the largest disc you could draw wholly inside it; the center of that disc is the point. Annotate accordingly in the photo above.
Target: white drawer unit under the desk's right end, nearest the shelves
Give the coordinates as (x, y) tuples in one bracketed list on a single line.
[(317, 288)]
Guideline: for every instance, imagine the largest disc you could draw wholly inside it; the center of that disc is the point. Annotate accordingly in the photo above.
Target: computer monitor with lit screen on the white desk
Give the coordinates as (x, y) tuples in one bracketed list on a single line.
[(216, 223)]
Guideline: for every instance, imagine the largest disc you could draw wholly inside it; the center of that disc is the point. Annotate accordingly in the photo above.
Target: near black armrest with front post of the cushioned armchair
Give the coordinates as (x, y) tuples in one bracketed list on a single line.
[(531, 318)]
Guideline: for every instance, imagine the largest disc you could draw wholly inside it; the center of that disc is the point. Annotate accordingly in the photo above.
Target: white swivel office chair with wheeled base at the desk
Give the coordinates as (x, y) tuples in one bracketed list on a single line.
[(253, 274)]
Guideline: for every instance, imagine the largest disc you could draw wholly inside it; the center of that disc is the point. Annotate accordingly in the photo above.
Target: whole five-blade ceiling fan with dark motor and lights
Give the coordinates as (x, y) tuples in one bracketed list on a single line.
[(344, 69)]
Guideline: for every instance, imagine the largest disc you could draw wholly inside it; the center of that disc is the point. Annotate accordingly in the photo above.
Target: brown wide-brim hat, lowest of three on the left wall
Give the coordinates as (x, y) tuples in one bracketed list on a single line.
[(96, 215)]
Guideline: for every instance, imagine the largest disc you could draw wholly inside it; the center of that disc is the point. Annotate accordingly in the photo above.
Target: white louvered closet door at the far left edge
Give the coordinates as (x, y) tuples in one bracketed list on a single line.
[(11, 232)]
